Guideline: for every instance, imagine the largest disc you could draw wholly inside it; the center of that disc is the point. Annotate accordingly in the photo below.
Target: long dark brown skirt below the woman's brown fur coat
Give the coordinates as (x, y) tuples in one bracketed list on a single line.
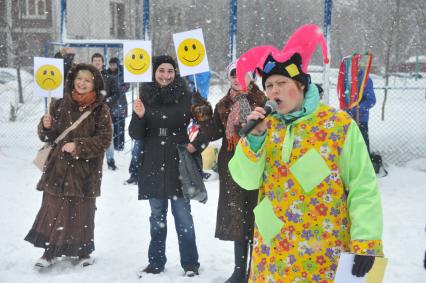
[(64, 226)]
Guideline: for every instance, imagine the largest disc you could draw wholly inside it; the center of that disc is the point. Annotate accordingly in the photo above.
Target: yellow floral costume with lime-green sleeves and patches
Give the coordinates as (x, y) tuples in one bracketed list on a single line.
[(318, 196)]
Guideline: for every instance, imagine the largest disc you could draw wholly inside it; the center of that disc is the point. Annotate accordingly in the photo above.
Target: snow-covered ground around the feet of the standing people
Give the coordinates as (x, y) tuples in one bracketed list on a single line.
[(122, 226)]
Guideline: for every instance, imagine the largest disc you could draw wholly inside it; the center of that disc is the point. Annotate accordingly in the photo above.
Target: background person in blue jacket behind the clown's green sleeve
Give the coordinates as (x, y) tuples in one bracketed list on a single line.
[(361, 113)]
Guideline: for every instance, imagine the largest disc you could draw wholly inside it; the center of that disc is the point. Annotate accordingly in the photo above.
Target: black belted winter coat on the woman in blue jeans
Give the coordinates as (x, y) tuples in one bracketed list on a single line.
[(168, 108)]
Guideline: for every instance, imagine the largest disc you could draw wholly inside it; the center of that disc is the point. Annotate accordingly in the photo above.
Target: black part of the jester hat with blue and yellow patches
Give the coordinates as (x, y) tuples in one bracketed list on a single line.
[(290, 68)]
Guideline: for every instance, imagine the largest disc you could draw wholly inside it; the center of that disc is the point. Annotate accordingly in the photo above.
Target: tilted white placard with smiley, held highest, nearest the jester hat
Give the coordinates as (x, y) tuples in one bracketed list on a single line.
[(191, 52)]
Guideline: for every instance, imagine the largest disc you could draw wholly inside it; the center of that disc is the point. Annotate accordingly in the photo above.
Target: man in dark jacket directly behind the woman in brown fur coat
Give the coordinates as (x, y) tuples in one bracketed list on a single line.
[(111, 98)]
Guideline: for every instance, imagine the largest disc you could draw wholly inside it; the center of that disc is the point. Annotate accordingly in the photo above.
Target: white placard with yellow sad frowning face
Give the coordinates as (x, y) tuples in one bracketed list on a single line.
[(48, 77)]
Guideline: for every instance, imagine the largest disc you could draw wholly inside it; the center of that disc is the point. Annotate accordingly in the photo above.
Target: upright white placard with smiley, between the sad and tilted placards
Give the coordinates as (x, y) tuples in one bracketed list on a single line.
[(137, 65)]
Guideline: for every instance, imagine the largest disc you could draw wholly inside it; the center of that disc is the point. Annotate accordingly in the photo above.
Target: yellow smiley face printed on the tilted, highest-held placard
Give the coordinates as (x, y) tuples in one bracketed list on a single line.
[(191, 52)]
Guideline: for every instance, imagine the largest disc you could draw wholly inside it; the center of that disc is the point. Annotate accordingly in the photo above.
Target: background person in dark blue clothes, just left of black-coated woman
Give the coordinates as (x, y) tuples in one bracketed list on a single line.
[(119, 112)]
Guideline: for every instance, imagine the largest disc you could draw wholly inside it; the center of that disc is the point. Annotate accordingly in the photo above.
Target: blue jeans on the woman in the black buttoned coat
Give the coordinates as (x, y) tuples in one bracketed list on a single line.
[(181, 210)]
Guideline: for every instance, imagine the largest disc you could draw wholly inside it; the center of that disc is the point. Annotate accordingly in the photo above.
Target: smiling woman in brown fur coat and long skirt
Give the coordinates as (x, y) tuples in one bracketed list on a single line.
[(72, 175)]
